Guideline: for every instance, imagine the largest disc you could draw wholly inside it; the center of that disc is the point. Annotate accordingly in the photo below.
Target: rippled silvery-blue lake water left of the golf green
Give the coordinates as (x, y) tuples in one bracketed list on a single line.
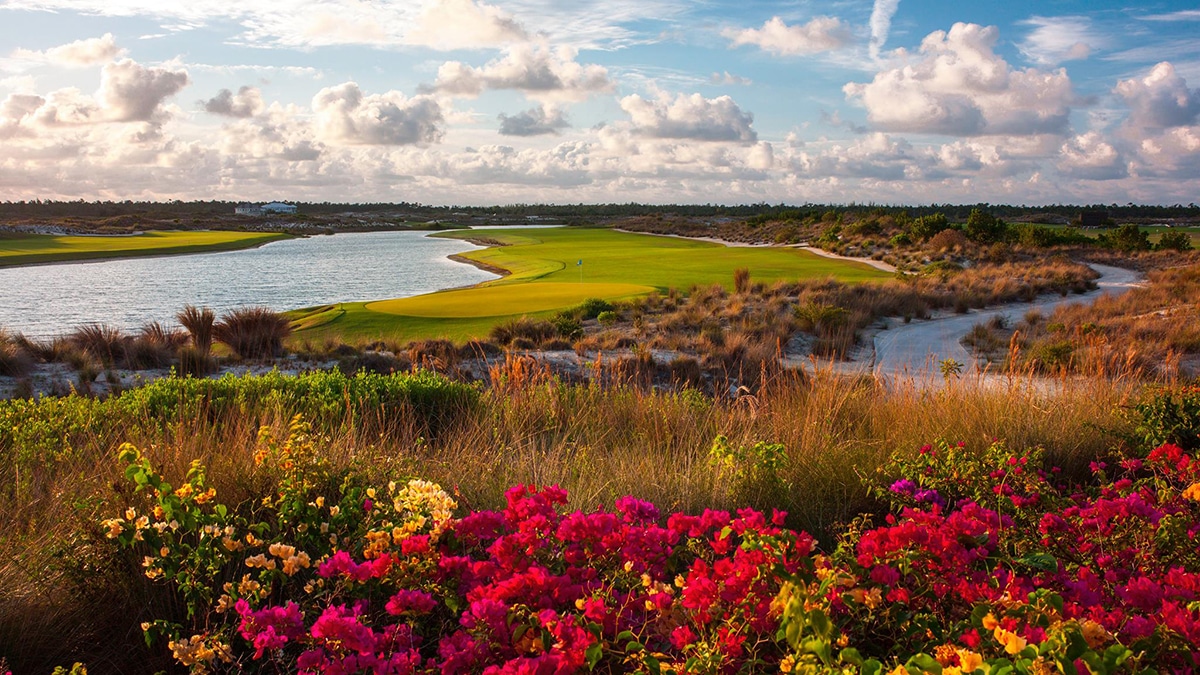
[(47, 301)]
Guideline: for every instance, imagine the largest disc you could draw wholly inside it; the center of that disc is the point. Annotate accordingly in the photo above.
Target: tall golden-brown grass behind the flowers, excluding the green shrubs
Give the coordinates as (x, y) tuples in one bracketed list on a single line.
[(530, 428)]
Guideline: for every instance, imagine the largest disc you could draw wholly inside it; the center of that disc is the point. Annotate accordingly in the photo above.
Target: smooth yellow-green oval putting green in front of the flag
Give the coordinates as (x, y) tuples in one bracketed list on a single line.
[(505, 301)]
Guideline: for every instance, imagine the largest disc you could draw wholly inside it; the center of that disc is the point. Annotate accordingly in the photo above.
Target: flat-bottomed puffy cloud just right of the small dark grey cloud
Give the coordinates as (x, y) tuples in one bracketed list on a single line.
[(691, 117)]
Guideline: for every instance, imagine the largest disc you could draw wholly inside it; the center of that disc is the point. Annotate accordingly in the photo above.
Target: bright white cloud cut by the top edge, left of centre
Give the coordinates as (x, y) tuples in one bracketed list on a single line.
[(465, 25)]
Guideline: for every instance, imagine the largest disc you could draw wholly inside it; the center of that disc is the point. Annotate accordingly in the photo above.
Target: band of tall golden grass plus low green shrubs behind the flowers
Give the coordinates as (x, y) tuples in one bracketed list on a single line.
[(69, 600)]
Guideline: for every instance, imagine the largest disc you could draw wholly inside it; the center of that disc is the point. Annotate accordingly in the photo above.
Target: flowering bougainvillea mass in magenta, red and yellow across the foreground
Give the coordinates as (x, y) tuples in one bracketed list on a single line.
[(987, 563)]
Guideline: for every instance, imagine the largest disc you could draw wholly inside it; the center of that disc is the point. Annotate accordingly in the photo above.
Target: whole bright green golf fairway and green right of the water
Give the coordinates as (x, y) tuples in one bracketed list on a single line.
[(557, 268)]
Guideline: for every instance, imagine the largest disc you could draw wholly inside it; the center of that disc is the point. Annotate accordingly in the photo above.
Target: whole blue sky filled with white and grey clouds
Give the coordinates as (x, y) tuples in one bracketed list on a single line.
[(553, 101)]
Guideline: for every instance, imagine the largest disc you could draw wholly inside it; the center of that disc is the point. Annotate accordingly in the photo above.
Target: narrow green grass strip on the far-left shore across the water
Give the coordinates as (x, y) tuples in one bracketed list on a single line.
[(33, 249)]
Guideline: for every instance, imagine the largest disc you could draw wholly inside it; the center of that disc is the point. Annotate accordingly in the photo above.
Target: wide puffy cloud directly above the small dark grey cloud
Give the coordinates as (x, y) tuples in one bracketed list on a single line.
[(537, 70)]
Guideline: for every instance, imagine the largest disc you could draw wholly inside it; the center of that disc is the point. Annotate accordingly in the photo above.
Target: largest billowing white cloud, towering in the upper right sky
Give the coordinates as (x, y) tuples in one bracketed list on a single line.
[(961, 87)]
